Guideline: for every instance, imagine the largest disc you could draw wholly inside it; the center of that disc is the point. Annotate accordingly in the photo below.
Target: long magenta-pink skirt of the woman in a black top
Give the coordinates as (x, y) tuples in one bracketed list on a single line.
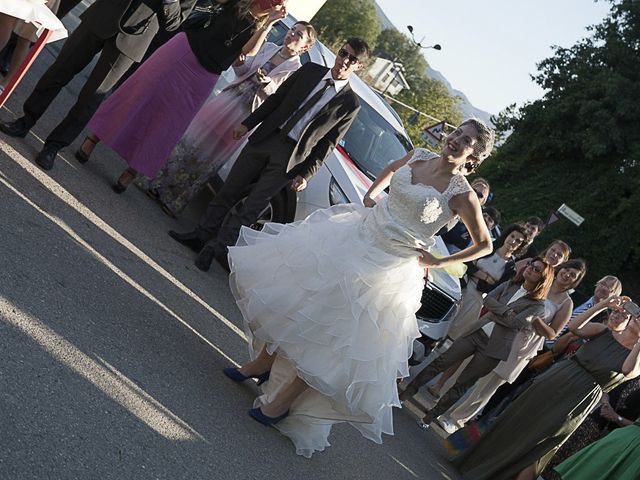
[(144, 119)]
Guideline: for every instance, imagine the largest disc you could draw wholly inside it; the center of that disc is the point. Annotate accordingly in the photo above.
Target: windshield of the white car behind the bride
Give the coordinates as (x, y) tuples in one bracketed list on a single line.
[(372, 143)]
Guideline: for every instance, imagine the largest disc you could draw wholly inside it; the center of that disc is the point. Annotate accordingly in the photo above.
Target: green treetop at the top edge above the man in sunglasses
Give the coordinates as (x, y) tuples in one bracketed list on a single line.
[(338, 20)]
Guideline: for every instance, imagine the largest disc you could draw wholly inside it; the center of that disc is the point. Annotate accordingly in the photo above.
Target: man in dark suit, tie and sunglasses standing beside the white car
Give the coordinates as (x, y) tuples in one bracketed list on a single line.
[(300, 124)]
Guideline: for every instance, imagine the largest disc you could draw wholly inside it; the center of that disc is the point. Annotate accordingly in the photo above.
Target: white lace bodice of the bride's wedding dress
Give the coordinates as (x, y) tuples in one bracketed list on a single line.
[(412, 214)]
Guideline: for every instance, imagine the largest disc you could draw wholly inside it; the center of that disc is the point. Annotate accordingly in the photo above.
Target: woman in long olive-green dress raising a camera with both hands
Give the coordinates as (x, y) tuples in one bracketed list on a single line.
[(529, 432)]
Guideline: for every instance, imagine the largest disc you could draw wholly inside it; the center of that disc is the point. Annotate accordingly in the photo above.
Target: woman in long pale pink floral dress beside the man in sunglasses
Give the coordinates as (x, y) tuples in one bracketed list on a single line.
[(208, 142)]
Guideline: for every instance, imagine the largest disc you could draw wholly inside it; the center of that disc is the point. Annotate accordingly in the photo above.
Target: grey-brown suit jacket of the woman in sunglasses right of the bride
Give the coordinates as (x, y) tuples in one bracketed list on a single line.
[(506, 328)]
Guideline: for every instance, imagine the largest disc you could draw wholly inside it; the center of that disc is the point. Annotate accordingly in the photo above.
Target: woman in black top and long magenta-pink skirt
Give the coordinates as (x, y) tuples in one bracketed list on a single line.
[(144, 118)]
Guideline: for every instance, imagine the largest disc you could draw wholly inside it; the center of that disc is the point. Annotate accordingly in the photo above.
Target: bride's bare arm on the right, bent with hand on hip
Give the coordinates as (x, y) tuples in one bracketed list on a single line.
[(468, 208)]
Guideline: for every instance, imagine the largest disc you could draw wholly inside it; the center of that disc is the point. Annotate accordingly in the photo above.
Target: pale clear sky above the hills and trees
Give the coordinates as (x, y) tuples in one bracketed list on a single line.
[(490, 48)]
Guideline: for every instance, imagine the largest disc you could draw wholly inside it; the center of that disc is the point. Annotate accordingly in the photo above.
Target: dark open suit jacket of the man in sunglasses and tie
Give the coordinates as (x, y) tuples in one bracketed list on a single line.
[(322, 133)]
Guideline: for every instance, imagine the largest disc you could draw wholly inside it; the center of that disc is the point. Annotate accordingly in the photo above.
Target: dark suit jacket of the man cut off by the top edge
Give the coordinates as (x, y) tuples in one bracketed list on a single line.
[(135, 27)]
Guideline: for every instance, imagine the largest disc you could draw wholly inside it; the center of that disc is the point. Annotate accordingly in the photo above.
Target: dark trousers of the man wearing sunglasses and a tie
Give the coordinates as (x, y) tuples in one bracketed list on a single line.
[(259, 173)]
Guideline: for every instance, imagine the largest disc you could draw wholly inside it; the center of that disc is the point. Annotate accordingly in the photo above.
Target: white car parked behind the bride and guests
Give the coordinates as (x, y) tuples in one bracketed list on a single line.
[(375, 138)]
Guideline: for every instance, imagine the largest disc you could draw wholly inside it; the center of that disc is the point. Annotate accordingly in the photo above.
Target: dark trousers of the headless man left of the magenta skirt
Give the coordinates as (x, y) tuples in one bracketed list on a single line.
[(77, 52)]
